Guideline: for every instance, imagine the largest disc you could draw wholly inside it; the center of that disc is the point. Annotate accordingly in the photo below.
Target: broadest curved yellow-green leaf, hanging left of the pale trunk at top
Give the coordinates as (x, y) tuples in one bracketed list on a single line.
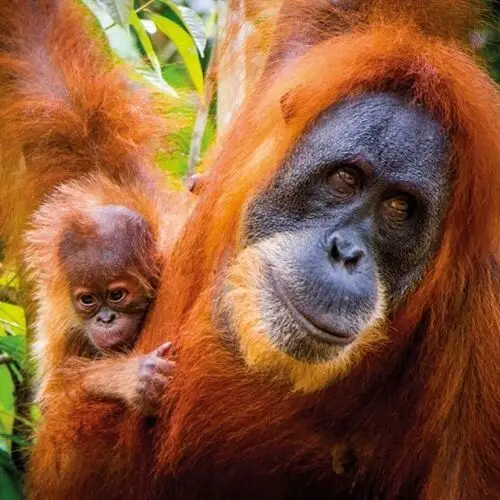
[(186, 47)]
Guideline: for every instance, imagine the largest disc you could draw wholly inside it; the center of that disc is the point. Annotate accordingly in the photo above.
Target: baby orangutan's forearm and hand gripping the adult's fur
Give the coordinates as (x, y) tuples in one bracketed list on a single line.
[(137, 381)]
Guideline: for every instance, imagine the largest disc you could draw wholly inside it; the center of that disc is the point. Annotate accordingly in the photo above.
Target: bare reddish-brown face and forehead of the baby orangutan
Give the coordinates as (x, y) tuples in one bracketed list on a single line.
[(105, 258)]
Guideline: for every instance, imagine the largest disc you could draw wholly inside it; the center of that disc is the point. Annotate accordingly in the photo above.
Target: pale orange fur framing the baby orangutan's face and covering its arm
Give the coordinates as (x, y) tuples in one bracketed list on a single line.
[(54, 344)]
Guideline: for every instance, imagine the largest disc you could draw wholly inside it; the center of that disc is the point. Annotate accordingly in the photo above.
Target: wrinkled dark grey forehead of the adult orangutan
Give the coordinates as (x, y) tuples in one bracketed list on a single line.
[(396, 139)]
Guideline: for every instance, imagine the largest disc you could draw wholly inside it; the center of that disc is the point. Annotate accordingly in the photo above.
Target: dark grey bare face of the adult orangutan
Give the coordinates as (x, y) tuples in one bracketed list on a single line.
[(350, 222)]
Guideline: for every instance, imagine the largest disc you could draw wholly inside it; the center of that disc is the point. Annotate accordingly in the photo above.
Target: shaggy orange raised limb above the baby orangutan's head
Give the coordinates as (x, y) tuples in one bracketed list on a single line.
[(55, 129)]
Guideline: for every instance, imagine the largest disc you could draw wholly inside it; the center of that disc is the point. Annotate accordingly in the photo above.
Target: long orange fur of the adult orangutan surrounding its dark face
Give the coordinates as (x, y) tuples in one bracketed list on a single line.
[(423, 412)]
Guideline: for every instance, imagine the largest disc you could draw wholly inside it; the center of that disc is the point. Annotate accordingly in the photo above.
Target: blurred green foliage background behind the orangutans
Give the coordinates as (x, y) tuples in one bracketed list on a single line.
[(169, 45)]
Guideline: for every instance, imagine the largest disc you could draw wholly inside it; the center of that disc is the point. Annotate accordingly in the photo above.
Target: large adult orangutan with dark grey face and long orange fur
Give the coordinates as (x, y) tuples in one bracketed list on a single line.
[(335, 304)]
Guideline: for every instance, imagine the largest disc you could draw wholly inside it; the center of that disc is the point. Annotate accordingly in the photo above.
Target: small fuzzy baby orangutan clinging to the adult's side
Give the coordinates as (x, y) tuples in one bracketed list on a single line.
[(94, 289)]
